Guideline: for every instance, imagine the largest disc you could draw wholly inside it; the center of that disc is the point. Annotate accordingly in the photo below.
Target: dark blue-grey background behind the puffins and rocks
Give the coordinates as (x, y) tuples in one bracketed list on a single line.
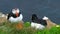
[(49, 8)]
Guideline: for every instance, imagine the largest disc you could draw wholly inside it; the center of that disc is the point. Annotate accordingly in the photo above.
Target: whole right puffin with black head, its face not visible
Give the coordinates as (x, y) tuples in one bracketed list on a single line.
[(37, 23)]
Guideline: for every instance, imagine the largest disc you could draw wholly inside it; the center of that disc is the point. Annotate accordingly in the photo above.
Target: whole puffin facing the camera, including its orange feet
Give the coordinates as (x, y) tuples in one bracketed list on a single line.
[(16, 17)]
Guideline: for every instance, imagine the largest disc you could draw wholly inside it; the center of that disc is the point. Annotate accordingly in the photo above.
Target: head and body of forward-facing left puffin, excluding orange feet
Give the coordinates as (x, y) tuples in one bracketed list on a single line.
[(15, 15)]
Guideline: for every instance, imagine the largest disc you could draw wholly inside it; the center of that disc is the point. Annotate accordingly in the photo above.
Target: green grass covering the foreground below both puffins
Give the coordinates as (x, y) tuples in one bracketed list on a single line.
[(8, 28)]
